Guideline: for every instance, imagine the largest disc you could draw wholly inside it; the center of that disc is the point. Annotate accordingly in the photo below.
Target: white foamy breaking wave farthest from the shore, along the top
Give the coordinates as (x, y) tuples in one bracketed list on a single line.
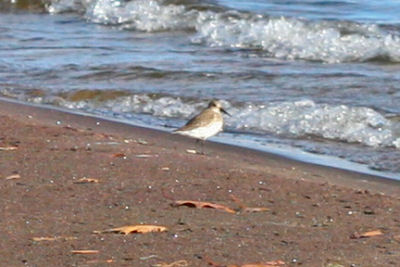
[(287, 38)]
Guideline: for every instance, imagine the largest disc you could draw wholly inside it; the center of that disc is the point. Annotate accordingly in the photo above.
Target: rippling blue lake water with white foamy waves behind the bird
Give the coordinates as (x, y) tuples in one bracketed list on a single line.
[(320, 77)]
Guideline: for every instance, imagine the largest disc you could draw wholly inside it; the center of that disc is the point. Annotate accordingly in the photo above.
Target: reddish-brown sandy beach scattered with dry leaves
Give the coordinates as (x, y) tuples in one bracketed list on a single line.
[(273, 210)]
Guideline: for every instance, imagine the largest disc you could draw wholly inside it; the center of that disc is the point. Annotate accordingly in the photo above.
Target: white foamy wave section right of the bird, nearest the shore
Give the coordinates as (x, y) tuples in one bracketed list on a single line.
[(305, 118)]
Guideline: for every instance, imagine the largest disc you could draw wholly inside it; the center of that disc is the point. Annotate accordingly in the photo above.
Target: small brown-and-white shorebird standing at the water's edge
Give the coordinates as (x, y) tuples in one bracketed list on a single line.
[(207, 123)]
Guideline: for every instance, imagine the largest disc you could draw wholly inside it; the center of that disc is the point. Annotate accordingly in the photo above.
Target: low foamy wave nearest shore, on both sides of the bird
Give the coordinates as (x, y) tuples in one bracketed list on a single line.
[(300, 119)]
